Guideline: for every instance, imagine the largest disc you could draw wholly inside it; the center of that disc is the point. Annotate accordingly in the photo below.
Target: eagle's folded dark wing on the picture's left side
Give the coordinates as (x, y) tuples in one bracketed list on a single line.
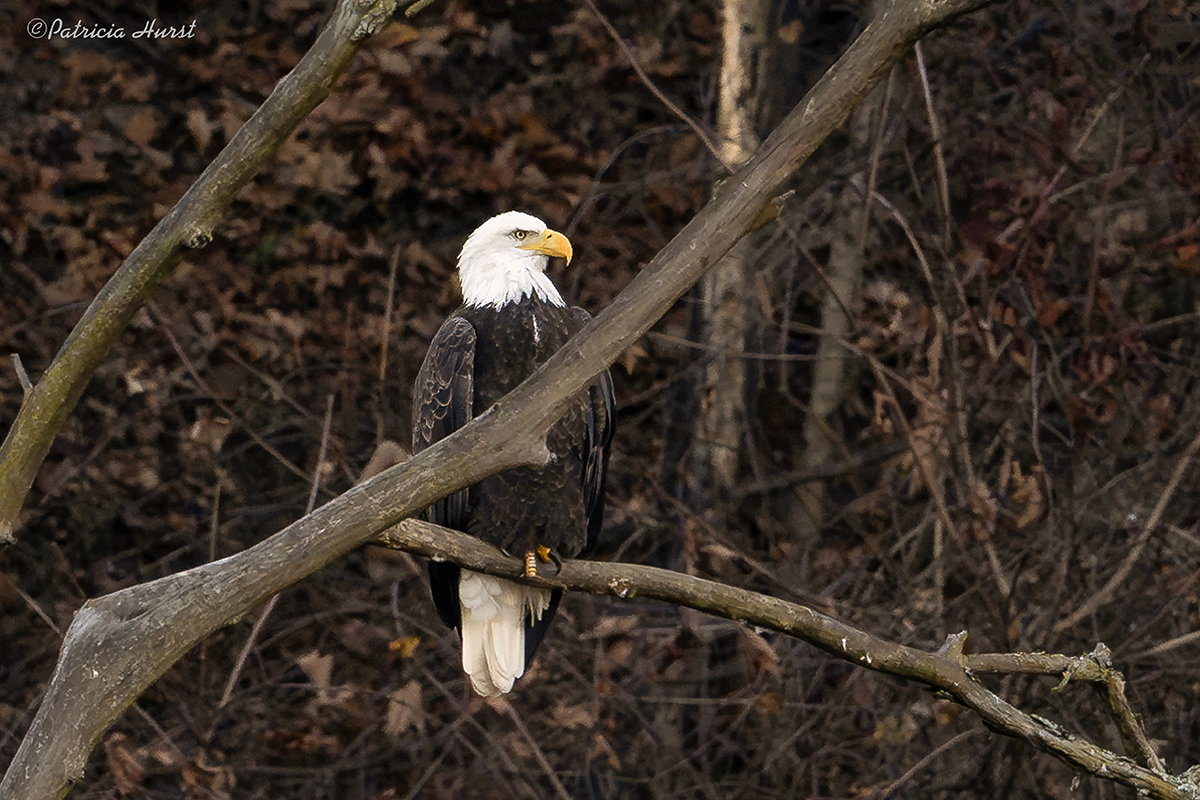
[(443, 400)]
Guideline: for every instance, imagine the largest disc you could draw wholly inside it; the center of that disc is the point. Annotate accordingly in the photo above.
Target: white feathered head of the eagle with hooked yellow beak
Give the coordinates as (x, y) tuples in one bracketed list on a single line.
[(506, 260)]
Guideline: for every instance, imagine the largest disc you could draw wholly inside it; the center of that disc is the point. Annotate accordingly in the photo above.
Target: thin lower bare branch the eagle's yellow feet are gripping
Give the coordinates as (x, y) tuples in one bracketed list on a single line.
[(949, 670)]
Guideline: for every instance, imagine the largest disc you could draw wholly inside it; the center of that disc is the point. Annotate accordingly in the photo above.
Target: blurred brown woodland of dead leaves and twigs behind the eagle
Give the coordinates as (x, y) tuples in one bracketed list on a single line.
[(1035, 342)]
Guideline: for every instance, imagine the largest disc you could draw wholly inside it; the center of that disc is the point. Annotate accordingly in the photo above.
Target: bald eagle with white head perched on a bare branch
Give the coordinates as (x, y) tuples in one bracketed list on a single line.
[(512, 321)]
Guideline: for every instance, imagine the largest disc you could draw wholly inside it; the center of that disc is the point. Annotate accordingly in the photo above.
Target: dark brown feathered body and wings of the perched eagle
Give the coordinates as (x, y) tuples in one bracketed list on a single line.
[(479, 356)]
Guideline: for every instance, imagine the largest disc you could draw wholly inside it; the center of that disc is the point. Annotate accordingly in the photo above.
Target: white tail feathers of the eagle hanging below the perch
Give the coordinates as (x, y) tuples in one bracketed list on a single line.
[(494, 612)]
